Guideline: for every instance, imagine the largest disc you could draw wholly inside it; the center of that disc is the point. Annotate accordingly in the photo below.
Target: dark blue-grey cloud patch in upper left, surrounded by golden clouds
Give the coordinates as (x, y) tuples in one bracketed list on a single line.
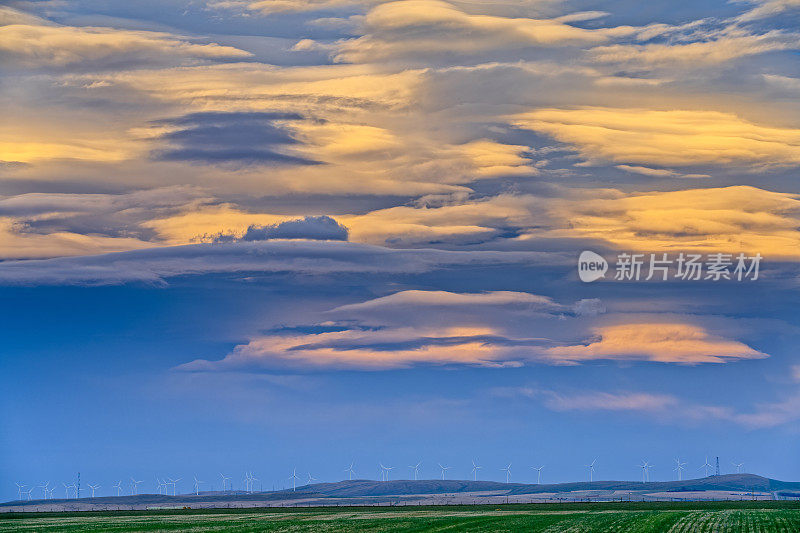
[(238, 139)]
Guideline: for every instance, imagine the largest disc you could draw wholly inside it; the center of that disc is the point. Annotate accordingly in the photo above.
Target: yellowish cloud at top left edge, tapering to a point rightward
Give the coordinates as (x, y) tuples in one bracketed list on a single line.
[(26, 44)]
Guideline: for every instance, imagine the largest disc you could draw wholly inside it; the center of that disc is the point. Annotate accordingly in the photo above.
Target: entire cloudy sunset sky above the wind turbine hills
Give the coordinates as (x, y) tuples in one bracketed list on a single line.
[(259, 235)]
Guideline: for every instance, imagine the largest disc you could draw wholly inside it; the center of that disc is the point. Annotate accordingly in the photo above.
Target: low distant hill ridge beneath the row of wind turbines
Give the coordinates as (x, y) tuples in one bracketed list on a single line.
[(363, 490)]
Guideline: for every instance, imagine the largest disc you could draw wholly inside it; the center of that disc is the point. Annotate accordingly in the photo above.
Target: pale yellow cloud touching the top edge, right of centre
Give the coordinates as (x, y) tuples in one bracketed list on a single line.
[(422, 28)]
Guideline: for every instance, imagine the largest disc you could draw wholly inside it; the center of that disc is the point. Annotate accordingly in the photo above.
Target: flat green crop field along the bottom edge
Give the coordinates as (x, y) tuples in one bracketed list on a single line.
[(620, 517)]
